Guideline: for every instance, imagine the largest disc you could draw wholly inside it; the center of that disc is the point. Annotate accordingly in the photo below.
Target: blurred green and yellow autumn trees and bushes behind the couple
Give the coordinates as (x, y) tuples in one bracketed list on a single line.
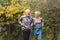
[(12, 10)]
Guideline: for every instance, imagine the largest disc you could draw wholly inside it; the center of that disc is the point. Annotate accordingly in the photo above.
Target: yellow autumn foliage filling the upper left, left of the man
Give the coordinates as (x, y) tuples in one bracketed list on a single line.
[(13, 11)]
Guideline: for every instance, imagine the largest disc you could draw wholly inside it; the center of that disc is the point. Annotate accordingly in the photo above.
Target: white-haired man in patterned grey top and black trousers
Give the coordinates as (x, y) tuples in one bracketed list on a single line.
[(26, 22)]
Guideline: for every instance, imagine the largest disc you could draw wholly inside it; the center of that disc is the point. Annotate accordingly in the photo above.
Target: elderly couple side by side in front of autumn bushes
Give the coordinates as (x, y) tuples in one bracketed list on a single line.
[(27, 22)]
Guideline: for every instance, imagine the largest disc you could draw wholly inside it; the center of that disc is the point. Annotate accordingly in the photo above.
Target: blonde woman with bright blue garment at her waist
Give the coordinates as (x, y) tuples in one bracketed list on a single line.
[(38, 24)]
